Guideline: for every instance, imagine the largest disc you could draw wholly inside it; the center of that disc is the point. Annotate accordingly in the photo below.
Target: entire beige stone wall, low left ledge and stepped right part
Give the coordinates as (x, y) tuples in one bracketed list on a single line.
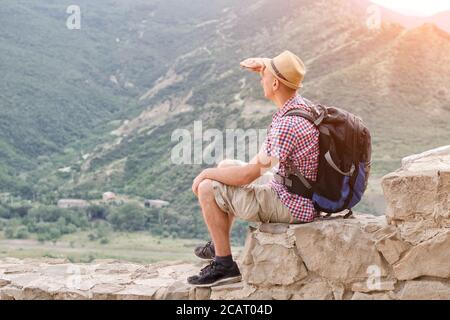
[(403, 255)]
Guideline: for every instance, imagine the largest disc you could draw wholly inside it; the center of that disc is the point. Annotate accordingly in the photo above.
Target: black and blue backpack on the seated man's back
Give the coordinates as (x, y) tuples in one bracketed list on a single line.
[(344, 161)]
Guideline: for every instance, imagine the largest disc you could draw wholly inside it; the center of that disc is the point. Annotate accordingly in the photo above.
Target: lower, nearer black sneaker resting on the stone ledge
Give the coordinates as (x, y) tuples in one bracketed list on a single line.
[(216, 274)]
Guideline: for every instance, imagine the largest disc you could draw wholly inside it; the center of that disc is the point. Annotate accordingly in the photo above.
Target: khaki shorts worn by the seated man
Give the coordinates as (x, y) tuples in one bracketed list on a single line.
[(256, 202)]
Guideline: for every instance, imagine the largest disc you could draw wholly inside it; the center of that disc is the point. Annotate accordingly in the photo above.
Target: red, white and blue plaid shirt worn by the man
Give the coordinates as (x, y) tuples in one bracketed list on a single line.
[(297, 139)]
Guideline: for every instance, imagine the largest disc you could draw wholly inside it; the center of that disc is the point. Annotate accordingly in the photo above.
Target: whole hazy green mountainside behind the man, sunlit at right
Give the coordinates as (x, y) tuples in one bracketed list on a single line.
[(92, 110)]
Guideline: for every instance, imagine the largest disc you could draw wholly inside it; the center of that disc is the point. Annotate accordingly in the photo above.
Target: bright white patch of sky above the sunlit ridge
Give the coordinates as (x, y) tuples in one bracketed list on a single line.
[(415, 7)]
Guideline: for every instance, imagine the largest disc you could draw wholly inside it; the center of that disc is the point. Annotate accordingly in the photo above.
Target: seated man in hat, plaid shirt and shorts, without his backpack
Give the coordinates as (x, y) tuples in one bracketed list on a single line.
[(227, 192)]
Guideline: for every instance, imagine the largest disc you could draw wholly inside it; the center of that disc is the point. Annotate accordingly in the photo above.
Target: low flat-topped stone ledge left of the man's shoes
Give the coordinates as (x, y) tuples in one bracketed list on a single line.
[(110, 280)]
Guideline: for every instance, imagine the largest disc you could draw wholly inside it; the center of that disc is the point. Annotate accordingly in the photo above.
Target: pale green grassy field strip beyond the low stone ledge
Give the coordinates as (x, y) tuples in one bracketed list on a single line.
[(136, 247)]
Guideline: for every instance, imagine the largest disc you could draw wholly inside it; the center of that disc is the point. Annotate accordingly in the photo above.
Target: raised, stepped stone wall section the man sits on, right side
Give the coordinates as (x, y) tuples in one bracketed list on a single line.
[(403, 255)]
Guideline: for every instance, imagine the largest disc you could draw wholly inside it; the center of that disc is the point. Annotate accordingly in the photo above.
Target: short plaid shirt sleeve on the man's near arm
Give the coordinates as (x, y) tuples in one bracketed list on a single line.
[(281, 139)]
